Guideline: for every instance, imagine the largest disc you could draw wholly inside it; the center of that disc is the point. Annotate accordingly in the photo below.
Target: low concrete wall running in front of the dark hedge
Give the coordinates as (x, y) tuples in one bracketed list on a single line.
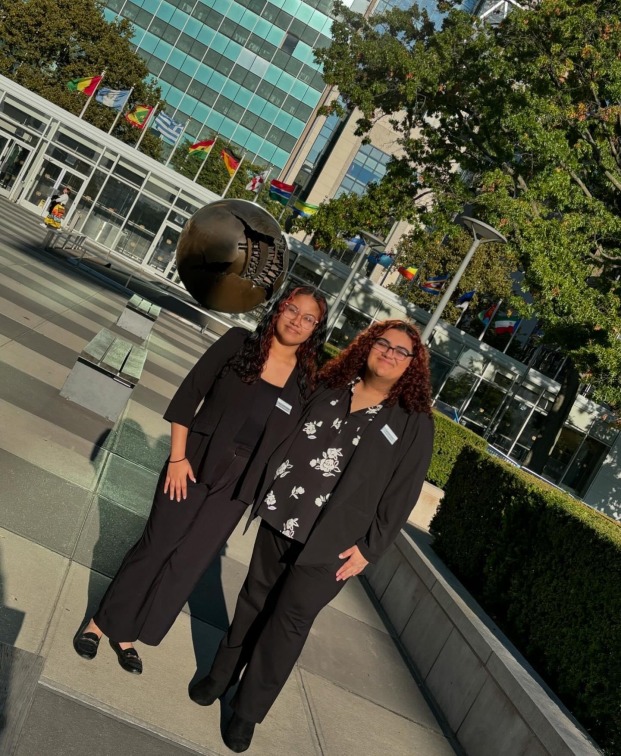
[(491, 698)]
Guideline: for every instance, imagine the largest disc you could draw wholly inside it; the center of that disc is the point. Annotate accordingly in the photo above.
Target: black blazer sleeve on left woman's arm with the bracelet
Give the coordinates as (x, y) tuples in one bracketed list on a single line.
[(201, 378)]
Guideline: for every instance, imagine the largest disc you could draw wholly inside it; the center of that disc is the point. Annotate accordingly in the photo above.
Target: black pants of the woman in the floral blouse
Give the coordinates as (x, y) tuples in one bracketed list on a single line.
[(275, 610)]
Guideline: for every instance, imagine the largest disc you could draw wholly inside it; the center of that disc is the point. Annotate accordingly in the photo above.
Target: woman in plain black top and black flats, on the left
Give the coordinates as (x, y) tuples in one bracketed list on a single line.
[(252, 388)]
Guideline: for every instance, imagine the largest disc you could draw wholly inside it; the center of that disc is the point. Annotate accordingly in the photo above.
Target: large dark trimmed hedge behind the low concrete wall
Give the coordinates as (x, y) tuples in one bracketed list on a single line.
[(547, 569)]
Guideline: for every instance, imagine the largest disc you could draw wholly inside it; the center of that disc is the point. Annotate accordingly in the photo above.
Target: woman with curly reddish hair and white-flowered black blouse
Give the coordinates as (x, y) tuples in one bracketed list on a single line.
[(333, 498)]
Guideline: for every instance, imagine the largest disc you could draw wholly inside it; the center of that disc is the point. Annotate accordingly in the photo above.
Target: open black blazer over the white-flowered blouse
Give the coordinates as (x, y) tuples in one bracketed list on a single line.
[(375, 493)]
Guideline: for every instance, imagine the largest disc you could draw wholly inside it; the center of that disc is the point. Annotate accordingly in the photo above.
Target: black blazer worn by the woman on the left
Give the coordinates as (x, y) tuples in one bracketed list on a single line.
[(226, 403)]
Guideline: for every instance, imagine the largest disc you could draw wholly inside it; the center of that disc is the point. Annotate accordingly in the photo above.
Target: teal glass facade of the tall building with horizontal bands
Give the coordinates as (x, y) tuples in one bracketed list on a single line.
[(241, 68)]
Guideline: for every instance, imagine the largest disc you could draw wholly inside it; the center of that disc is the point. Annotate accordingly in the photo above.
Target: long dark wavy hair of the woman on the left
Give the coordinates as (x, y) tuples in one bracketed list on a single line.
[(249, 362)]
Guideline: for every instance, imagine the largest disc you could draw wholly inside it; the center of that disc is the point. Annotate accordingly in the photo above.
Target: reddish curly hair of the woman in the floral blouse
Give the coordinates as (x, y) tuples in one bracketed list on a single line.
[(412, 390)]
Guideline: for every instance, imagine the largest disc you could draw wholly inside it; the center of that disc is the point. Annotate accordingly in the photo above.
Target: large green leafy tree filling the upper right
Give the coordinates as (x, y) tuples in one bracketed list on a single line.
[(522, 122)]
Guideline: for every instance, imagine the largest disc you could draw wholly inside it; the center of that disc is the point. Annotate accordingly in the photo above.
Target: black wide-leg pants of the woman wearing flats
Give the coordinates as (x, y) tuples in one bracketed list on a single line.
[(179, 542)]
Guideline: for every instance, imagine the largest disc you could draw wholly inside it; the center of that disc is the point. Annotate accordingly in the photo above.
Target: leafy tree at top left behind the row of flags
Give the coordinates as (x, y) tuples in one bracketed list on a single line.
[(46, 43)]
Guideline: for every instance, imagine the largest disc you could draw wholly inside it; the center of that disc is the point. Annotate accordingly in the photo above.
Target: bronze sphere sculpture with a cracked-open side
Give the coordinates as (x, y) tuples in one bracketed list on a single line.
[(232, 255)]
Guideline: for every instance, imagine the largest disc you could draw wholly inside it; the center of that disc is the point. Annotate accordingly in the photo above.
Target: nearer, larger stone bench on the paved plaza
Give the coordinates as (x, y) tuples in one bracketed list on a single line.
[(105, 374)]
